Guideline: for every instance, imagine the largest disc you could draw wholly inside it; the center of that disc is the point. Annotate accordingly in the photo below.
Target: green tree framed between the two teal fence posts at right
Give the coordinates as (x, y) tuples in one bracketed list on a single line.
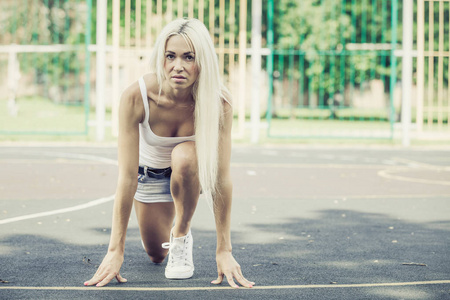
[(324, 32)]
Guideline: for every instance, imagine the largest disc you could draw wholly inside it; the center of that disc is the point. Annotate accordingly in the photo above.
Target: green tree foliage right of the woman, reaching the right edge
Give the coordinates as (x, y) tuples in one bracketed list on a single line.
[(324, 31)]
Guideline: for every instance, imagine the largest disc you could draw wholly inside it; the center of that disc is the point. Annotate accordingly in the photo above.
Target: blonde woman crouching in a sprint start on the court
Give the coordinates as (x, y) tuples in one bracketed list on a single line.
[(175, 125)]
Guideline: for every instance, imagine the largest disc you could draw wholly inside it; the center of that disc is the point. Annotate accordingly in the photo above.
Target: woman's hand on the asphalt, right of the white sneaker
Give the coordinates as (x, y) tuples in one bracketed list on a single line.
[(228, 266)]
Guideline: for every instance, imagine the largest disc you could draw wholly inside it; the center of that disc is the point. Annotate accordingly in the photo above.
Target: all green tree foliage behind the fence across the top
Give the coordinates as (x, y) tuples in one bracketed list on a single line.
[(319, 30)]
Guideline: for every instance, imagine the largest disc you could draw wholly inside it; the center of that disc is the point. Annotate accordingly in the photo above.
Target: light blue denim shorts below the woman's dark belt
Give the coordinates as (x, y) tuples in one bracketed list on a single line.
[(152, 190)]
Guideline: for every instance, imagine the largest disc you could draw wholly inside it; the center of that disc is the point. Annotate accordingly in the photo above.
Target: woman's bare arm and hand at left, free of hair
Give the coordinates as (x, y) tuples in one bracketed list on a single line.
[(130, 114)]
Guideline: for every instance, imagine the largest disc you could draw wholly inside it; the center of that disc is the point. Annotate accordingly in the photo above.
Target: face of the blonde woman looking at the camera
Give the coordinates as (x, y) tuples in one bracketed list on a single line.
[(179, 63)]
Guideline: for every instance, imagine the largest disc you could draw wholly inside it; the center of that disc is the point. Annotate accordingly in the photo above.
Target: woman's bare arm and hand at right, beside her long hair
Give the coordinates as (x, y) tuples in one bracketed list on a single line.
[(226, 264)]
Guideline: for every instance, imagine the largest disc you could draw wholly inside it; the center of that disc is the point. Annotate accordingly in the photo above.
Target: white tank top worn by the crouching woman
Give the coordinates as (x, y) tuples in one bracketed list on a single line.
[(155, 151)]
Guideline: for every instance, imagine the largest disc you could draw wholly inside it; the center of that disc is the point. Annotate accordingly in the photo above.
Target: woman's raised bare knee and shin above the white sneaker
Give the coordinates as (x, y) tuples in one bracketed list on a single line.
[(184, 186)]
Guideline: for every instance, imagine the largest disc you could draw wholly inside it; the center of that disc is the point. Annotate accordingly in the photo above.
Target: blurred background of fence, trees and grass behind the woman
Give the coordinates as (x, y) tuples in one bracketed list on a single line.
[(366, 71)]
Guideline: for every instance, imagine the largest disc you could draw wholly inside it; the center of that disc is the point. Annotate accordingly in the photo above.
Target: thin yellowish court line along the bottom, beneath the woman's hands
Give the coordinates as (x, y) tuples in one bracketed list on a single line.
[(212, 288)]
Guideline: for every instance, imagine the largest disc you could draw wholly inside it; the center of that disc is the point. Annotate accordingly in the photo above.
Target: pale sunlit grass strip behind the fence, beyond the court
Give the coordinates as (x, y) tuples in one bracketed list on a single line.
[(40, 120)]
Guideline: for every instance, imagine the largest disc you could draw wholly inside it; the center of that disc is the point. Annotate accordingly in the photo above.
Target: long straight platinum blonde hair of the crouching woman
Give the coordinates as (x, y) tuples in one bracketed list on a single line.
[(208, 92)]
